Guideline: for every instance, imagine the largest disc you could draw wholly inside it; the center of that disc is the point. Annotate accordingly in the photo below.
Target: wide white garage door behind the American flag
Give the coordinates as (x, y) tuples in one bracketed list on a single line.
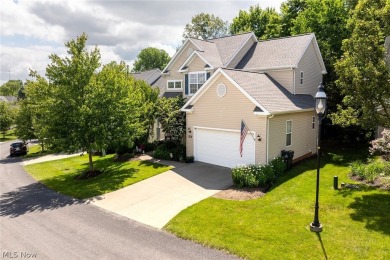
[(222, 147)]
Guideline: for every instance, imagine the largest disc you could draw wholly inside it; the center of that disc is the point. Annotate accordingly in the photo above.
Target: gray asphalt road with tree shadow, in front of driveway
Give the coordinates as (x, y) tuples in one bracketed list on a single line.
[(38, 223)]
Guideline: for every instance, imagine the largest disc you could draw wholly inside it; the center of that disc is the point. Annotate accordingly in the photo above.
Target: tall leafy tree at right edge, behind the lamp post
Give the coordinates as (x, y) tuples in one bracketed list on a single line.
[(364, 78)]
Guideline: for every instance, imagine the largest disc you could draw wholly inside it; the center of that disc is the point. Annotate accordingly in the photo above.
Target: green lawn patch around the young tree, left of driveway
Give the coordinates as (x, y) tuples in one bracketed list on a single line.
[(59, 175)]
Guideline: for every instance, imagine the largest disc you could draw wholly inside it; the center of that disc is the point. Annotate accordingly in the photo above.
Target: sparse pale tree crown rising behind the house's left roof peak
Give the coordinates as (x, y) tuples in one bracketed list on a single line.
[(206, 26)]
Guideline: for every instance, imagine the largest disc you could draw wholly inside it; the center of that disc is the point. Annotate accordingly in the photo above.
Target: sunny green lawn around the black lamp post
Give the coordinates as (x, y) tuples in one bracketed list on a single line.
[(356, 223)]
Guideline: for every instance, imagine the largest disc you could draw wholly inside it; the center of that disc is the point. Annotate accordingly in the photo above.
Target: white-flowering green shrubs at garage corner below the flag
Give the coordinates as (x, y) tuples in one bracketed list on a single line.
[(255, 175)]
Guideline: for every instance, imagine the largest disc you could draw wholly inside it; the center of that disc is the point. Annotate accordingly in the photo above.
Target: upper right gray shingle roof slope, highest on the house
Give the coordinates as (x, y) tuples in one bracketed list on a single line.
[(275, 53)]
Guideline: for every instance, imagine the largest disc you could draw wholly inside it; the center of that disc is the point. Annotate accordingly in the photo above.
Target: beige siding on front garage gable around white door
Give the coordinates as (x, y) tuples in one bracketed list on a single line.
[(226, 112)]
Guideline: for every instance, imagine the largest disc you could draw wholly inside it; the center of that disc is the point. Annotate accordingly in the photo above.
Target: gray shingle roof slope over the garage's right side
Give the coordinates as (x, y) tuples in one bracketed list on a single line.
[(269, 93)]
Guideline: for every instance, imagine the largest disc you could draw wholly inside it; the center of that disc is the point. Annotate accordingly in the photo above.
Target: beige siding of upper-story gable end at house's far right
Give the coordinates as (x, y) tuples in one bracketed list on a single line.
[(310, 66)]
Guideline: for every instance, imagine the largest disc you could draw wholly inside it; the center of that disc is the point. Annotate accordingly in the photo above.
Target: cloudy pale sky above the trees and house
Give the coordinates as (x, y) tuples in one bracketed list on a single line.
[(31, 30)]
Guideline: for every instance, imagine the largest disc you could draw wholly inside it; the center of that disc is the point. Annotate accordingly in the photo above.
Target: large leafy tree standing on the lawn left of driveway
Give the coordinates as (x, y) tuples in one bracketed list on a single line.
[(86, 110)]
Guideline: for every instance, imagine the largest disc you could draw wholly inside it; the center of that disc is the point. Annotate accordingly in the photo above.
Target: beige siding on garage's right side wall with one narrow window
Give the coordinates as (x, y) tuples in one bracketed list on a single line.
[(303, 139)]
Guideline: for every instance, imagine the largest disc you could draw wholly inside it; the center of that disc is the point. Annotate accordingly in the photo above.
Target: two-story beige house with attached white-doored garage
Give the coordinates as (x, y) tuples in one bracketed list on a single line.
[(268, 84)]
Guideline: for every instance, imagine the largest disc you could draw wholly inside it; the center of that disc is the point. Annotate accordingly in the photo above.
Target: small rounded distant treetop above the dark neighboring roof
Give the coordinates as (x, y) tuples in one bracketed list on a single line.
[(151, 58)]
